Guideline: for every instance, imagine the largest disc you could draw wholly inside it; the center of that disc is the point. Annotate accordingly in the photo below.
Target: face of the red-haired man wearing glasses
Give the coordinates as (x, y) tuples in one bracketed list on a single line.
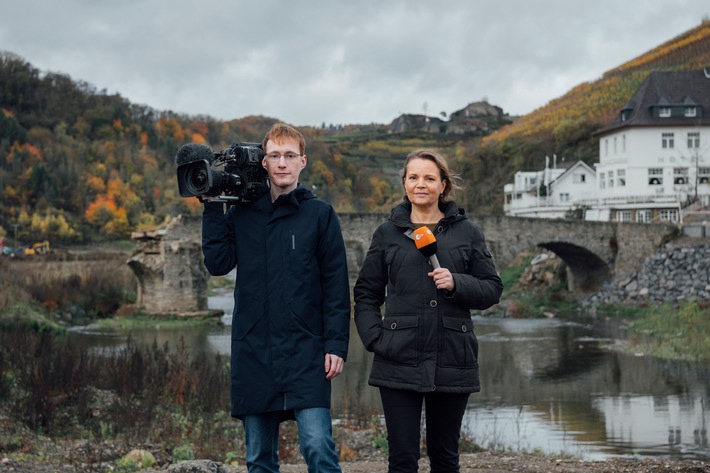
[(283, 162)]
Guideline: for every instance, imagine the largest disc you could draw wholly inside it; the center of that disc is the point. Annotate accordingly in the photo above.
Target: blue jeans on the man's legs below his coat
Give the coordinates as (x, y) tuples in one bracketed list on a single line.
[(314, 433)]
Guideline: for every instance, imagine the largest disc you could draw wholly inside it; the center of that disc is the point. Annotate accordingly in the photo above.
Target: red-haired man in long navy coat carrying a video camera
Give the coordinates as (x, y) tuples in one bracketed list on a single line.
[(291, 321)]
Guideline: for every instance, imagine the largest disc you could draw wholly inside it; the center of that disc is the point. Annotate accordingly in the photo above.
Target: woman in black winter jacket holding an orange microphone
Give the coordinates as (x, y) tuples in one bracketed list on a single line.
[(425, 349)]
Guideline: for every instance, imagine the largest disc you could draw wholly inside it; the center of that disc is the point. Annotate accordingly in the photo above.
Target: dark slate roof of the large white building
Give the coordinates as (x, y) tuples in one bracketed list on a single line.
[(676, 91)]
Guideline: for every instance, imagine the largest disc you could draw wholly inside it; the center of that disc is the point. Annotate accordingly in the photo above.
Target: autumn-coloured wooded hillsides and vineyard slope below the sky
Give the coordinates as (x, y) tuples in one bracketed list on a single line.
[(80, 165)]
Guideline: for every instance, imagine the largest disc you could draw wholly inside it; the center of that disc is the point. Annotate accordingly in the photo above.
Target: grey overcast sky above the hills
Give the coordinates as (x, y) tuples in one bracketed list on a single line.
[(310, 62)]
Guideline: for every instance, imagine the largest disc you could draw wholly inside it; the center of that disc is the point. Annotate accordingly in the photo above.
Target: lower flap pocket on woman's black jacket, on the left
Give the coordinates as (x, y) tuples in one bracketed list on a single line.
[(398, 342)]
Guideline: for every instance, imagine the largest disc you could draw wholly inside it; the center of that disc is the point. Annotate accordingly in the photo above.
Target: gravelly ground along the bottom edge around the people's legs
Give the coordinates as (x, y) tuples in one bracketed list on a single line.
[(40, 454)]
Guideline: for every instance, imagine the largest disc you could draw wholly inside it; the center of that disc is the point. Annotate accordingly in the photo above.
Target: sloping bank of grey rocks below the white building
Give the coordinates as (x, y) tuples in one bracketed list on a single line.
[(676, 273)]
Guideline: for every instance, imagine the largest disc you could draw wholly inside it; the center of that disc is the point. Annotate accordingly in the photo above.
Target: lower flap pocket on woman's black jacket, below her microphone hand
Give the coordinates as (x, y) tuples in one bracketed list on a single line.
[(458, 344)]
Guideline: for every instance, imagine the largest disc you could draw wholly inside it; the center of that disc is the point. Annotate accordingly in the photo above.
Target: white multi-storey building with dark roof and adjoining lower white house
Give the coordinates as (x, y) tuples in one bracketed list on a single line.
[(654, 159)]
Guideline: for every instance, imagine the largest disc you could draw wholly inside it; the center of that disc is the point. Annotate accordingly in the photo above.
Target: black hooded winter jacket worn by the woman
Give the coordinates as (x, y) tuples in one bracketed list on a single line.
[(425, 342)]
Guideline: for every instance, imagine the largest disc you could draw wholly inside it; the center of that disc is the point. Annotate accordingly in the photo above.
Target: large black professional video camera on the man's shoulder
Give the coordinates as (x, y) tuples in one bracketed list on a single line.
[(234, 175)]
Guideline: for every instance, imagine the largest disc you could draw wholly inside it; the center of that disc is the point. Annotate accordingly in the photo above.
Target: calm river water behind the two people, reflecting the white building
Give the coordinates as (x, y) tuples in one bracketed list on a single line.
[(547, 385)]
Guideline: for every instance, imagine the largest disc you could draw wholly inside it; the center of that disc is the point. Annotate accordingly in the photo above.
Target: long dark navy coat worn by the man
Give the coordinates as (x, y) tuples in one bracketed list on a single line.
[(292, 299)]
